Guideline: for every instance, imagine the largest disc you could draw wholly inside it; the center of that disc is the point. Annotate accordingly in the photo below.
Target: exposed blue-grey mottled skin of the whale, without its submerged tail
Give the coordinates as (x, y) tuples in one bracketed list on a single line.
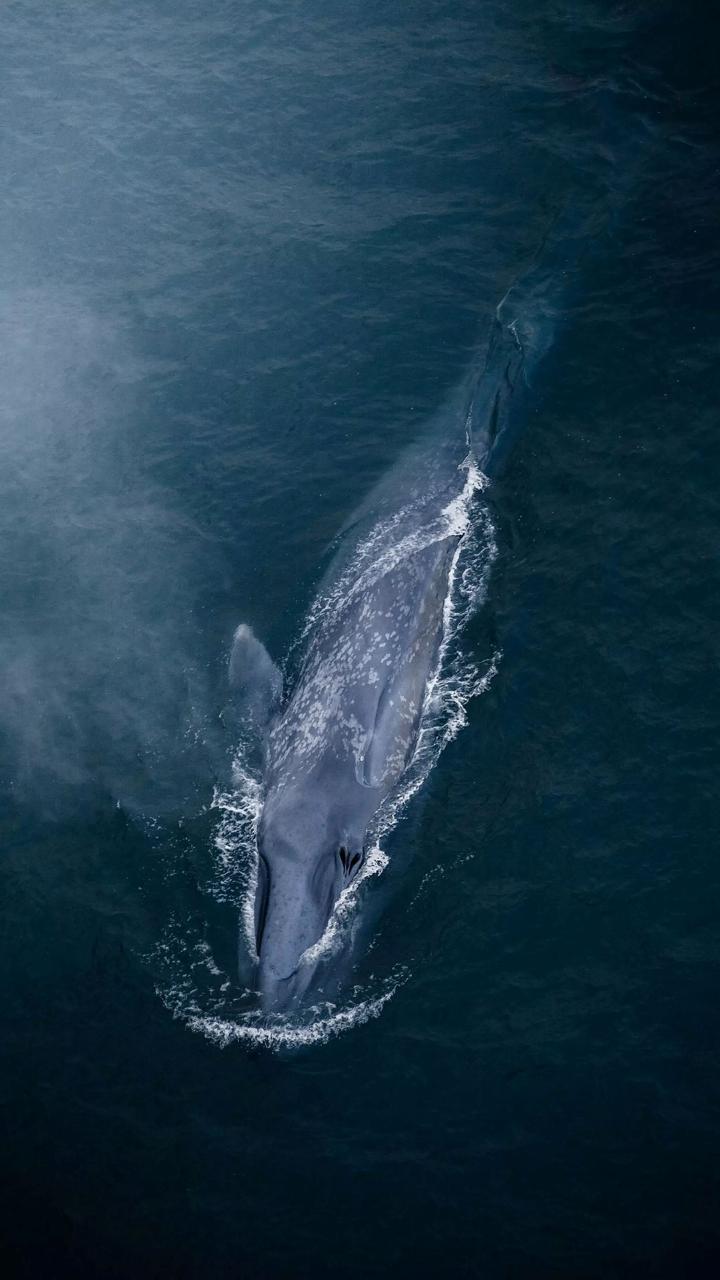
[(345, 737)]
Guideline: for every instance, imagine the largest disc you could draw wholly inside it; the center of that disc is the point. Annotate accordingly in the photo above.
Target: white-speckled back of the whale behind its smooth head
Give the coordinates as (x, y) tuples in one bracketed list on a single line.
[(372, 647)]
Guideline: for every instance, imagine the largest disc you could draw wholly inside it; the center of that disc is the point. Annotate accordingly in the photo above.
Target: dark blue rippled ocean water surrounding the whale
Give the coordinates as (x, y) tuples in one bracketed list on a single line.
[(248, 254)]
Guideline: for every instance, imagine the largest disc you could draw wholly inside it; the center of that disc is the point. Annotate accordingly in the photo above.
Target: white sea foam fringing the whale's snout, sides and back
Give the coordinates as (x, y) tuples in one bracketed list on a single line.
[(455, 682)]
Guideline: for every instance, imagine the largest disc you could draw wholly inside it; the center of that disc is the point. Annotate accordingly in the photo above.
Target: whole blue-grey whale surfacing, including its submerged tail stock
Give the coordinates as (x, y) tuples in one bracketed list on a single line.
[(339, 742)]
